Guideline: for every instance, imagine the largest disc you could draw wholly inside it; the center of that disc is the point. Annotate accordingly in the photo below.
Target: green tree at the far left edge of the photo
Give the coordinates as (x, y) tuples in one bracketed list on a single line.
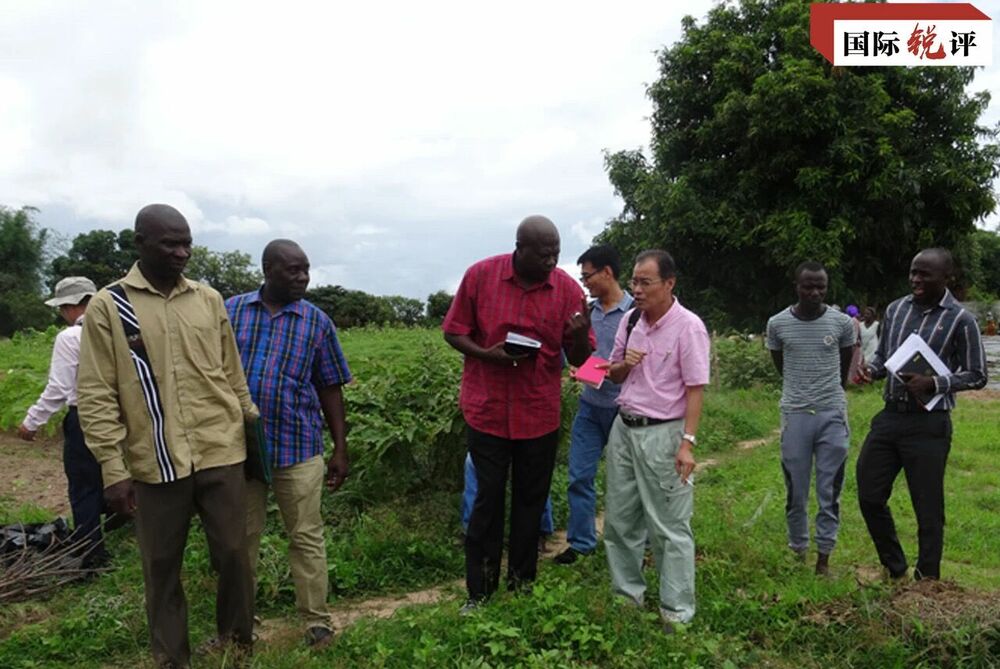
[(22, 264)]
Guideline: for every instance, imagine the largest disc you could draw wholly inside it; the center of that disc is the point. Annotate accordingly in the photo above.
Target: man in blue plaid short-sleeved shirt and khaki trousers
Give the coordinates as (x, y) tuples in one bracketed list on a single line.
[(295, 369)]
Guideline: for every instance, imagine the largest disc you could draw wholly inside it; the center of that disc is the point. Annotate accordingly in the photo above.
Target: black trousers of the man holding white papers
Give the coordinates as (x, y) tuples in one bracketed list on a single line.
[(918, 443)]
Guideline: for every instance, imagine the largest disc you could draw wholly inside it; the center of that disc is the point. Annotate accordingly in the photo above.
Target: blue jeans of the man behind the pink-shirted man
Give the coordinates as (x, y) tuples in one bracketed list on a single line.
[(591, 428)]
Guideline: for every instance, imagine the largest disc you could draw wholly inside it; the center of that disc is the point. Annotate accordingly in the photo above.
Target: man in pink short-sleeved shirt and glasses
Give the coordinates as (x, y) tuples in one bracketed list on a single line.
[(662, 363)]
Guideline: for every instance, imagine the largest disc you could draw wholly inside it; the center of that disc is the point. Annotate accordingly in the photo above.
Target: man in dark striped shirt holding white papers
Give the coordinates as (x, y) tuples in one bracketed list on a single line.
[(905, 435)]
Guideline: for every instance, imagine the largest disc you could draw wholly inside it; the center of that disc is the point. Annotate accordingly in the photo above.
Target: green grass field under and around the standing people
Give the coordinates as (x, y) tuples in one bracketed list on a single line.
[(757, 606)]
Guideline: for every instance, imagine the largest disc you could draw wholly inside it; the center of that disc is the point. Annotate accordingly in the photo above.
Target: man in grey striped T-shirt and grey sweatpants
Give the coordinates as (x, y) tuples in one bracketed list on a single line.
[(811, 345)]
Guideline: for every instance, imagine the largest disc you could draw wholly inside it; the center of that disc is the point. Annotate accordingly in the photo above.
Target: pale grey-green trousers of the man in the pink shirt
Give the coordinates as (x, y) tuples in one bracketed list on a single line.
[(645, 497)]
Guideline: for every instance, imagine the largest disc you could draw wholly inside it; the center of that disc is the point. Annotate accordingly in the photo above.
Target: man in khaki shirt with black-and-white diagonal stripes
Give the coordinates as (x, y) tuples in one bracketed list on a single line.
[(162, 407)]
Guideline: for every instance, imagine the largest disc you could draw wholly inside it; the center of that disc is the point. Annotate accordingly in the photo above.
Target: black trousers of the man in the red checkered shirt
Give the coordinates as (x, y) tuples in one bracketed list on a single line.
[(531, 462)]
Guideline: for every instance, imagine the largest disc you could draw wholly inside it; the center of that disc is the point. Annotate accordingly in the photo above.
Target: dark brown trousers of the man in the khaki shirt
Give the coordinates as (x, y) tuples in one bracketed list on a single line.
[(163, 516)]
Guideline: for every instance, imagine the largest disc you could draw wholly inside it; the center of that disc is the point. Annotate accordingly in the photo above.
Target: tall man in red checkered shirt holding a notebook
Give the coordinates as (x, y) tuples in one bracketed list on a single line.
[(511, 401)]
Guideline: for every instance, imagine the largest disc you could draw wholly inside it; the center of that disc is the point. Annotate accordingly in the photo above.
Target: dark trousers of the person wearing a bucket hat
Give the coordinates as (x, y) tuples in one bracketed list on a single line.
[(86, 488)]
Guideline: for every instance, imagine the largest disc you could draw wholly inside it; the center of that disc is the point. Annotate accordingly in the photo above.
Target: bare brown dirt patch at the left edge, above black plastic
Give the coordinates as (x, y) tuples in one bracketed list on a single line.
[(31, 472)]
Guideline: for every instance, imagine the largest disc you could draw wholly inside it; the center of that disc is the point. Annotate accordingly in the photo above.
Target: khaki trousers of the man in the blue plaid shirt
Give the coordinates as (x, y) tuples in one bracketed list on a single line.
[(297, 489)]
